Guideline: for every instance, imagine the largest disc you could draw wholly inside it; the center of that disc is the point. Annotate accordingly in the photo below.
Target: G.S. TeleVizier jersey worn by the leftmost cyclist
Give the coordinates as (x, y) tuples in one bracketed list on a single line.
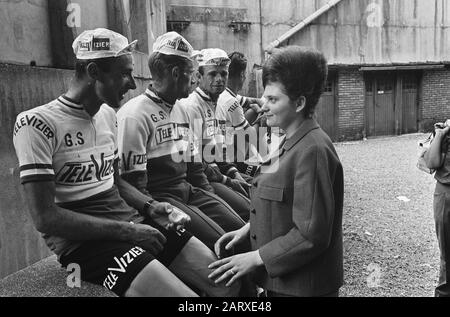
[(60, 141)]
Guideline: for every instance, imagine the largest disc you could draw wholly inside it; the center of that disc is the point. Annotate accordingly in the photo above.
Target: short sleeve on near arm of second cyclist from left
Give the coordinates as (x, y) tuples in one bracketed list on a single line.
[(132, 141)]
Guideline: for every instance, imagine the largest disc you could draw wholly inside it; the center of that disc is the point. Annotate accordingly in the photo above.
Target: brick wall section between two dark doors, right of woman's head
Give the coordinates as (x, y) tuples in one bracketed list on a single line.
[(351, 102)]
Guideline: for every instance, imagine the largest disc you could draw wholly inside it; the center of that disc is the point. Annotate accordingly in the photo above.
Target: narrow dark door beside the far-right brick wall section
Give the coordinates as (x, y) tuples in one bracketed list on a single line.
[(410, 84)]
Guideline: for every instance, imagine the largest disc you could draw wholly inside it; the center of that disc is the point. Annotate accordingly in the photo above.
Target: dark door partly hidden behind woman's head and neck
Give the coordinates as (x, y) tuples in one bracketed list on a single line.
[(326, 109)]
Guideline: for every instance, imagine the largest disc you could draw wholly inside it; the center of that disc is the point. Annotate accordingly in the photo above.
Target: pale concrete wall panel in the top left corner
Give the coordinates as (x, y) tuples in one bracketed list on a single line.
[(25, 34)]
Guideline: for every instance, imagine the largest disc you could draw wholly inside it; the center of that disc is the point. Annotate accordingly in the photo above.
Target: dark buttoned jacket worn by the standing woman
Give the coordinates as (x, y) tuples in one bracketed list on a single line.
[(296, 221)]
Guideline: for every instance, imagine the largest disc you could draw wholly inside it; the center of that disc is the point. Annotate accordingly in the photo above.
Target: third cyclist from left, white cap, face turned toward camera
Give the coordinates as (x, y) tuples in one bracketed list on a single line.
[(202, 106)]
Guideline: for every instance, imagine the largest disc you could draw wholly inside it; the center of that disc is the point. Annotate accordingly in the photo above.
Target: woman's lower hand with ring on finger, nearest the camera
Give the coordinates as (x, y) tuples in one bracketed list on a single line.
[(235, 267)]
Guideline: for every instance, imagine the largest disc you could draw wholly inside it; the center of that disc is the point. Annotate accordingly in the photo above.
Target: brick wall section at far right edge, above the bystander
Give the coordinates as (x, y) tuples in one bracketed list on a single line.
[(434, 98)]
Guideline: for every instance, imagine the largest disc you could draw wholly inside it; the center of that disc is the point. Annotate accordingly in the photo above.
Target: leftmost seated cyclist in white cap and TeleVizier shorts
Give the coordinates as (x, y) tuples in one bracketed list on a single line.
[(68, 158)]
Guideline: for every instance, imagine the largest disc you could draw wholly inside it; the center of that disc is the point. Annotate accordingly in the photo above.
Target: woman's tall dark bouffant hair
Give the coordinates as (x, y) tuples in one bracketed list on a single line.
[(302, 71)]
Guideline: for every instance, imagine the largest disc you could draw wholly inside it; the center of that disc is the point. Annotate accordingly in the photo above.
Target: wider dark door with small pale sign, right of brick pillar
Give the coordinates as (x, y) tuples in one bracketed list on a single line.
[(380, 104)]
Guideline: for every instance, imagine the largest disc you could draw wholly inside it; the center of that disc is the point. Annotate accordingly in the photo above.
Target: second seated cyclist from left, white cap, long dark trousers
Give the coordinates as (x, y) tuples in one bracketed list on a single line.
[(154, 130)]
